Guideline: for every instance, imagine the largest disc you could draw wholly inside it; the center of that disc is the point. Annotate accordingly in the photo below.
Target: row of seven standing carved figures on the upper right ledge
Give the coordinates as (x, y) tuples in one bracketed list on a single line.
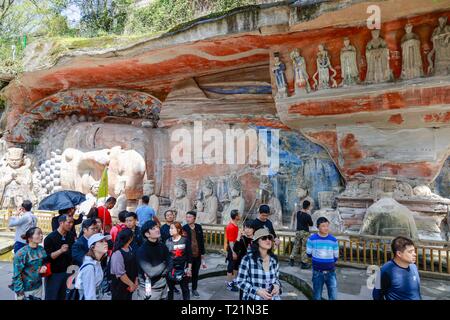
[(377, 56)]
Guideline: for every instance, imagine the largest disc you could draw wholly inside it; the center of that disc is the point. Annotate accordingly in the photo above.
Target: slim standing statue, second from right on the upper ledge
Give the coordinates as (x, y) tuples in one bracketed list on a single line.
[(411, 58)]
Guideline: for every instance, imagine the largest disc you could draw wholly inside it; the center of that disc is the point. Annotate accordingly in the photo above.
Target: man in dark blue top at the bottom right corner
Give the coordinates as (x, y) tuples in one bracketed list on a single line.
[(399, 278)]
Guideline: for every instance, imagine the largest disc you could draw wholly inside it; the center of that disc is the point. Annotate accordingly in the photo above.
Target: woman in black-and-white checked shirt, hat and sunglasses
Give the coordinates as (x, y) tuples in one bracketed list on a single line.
[(258, 275)]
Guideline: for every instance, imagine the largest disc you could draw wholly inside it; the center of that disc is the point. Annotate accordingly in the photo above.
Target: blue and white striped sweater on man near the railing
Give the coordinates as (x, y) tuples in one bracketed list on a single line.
[(324, 252)]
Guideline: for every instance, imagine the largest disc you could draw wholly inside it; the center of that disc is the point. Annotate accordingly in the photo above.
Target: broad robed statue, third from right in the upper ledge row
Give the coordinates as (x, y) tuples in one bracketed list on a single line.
[(377, 55)]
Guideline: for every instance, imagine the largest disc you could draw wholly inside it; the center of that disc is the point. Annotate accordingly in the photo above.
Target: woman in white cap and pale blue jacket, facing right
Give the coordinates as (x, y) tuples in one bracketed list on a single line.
[(90, 275)]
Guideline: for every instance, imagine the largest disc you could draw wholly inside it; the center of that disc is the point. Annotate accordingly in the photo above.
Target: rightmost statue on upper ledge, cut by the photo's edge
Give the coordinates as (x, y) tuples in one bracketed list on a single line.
[(441, 49)]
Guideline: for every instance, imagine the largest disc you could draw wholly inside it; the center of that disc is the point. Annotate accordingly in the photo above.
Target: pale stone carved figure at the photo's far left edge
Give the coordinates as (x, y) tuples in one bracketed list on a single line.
[(15, 178)]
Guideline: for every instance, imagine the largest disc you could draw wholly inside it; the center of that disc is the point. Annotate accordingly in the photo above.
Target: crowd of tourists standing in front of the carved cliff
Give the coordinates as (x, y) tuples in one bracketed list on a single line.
[(139, 259)]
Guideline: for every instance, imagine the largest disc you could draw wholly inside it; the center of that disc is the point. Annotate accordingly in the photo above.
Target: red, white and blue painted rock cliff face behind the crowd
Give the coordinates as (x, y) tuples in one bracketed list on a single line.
[(227, 72)]
